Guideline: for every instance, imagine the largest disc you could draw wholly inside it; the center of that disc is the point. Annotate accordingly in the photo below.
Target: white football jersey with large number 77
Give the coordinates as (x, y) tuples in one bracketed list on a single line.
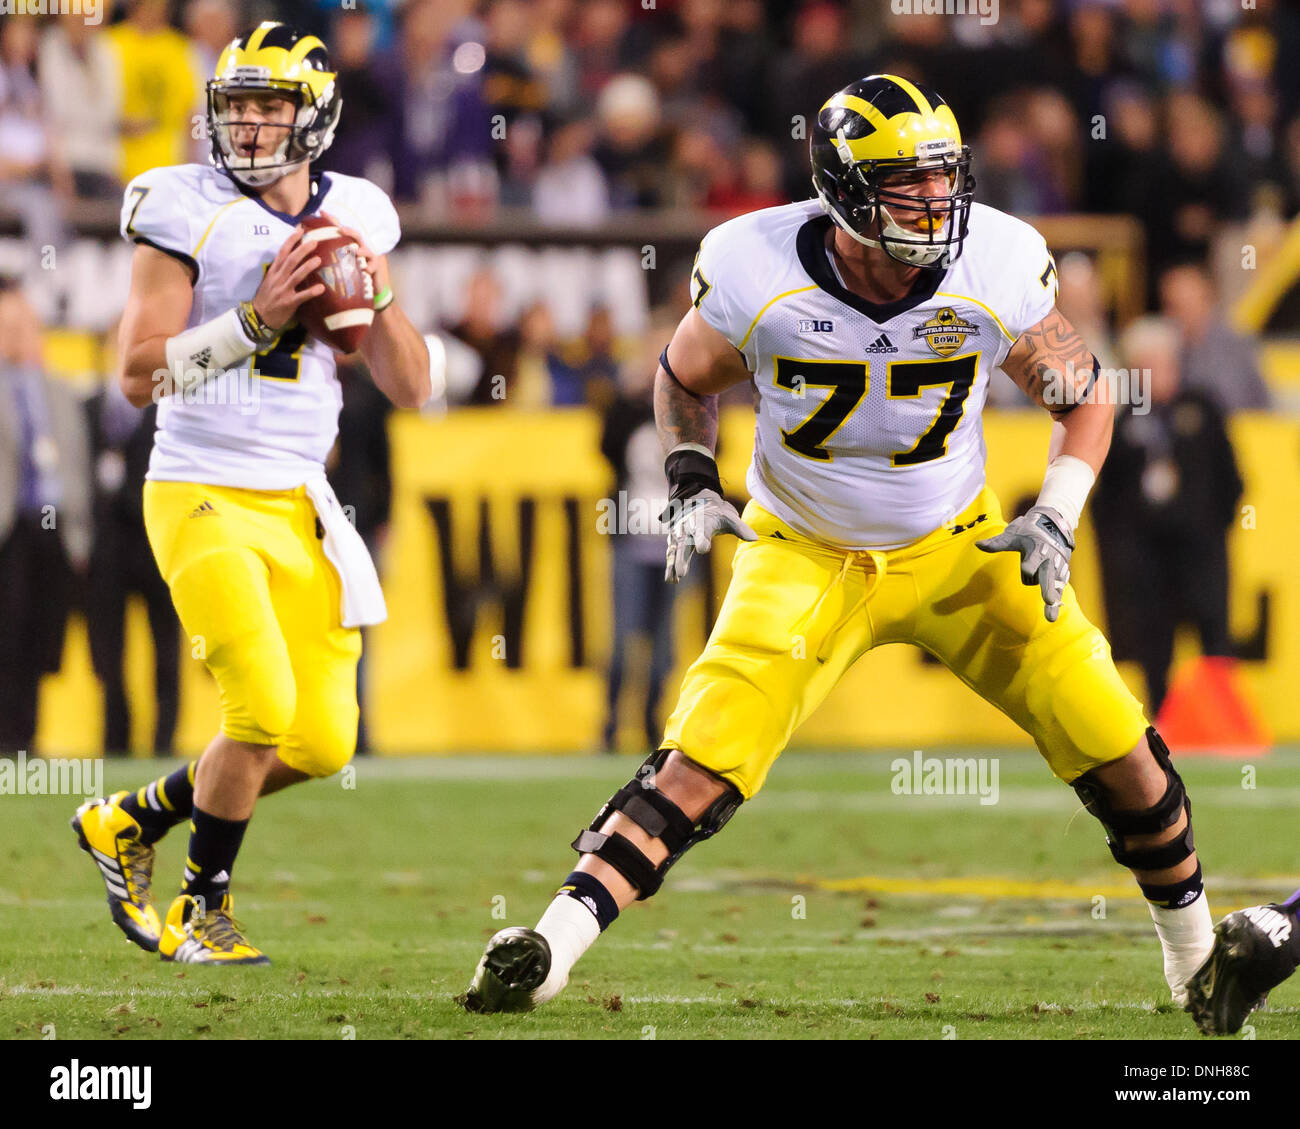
[(869, 432)]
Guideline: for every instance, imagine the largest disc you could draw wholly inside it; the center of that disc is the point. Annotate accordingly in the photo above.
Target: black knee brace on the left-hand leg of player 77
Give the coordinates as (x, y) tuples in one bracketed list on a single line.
[(661, 819)]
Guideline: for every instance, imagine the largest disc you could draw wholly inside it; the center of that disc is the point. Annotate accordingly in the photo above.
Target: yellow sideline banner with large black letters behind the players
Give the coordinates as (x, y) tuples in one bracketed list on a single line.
[(497, 577)]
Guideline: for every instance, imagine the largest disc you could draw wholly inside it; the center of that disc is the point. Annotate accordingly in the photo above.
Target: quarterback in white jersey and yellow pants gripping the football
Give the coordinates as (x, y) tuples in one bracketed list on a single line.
[(270, 579)]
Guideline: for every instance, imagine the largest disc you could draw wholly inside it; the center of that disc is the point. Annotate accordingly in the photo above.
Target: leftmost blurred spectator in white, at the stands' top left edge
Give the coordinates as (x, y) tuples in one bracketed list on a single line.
[(32, 176)]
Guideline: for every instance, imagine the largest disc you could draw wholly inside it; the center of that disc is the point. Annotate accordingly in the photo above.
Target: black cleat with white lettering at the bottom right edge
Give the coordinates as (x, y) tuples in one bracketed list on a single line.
[(1255, 950)]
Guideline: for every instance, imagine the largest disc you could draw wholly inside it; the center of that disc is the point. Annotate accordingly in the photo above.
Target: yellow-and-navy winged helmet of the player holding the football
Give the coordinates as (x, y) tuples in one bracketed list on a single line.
[(274, 59)]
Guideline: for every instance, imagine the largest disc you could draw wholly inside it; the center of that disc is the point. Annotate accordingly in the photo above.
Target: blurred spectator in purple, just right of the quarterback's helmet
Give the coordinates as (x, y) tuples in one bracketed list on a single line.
[(440, 136)]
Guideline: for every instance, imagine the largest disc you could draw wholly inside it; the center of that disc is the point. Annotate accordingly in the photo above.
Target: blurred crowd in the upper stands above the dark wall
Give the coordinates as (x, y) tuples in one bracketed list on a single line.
[(1181, 113)]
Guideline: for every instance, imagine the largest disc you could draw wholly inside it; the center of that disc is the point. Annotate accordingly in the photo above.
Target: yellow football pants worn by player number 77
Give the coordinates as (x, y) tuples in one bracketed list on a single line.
[(798, 616)]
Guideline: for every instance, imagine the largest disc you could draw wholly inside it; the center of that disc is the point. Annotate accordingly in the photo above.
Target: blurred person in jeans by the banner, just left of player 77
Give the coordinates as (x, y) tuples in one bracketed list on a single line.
[(643, 603)]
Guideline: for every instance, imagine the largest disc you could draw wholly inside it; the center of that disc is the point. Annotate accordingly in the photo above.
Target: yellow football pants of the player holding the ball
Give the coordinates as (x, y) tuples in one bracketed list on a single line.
[(261, 604)]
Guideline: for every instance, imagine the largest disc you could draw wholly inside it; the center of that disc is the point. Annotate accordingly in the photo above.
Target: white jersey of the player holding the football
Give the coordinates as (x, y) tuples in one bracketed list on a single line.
[(271, 423)]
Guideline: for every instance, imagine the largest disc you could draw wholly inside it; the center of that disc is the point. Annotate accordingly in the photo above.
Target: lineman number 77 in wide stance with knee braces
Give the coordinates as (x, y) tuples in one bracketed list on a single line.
[(870, 322)]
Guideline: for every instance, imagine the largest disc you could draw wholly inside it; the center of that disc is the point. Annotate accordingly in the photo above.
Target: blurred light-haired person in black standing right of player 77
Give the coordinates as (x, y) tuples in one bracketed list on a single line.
[(1165, 500)]
